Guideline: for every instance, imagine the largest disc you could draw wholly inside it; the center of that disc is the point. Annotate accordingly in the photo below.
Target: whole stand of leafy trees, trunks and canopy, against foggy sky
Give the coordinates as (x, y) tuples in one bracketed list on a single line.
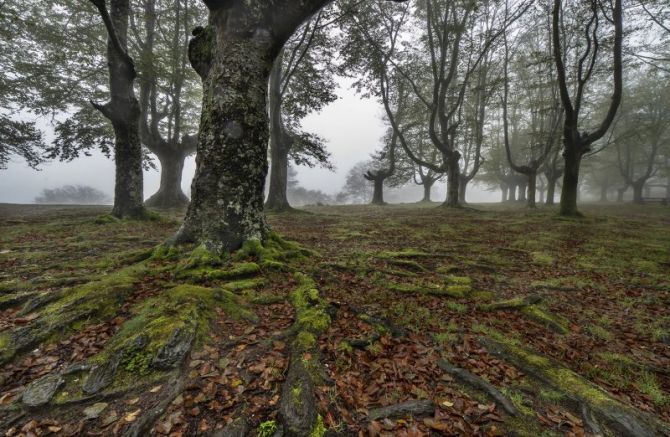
[(511, 93)]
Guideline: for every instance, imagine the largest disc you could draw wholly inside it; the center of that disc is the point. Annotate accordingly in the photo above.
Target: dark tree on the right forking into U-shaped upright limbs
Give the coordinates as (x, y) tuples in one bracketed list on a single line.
[(585, 56)]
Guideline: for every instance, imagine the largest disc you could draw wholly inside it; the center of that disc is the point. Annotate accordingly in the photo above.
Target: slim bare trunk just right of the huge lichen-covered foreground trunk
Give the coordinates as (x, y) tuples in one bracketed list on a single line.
[(279, 146)]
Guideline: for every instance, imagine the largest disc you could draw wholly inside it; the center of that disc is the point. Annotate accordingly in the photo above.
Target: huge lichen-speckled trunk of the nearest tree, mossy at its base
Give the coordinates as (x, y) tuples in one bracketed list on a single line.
[(226, 207)]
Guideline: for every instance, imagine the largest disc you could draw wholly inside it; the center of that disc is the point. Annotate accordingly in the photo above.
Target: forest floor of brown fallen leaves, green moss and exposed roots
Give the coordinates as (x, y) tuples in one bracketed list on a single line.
[(406, 320)]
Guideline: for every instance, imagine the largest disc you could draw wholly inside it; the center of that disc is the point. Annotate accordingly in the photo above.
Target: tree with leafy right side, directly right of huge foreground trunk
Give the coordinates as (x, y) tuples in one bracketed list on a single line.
[(301, 82)]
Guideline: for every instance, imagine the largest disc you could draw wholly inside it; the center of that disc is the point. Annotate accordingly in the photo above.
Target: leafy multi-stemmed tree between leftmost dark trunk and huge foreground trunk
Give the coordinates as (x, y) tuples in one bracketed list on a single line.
[(167, 87)]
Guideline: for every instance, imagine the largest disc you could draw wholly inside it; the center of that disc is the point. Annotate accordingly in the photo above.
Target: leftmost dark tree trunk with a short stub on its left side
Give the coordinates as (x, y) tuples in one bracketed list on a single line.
[(123, 110)]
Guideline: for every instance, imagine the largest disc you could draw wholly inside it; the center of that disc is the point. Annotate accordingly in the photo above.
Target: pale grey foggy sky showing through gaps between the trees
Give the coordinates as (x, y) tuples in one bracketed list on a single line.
[(352, 126)]
